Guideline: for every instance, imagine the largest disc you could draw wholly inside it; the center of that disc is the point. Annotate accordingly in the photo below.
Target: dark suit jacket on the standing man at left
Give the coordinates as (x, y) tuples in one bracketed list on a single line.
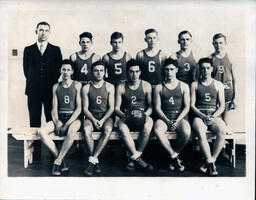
[(41, 71)]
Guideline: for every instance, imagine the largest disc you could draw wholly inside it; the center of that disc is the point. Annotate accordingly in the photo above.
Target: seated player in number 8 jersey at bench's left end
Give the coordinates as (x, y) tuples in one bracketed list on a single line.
[(66, 107)]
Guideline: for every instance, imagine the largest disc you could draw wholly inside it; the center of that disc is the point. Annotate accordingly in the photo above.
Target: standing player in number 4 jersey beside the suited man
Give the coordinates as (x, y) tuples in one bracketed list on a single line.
[(83, 59)]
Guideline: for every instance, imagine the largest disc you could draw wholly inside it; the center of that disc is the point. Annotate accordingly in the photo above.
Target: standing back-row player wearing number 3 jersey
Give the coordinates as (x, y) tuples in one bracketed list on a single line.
[(187, 64)]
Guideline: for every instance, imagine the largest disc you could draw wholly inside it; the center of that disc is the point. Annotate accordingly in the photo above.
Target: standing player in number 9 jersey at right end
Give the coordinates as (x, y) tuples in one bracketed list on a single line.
[(223, 72)]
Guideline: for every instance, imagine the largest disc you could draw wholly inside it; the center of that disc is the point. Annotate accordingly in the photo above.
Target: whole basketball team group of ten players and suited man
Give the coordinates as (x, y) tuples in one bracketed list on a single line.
[(152, 94)]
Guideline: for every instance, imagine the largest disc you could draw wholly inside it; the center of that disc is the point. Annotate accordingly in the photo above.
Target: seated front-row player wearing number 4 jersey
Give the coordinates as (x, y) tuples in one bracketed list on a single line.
[(172, 103)]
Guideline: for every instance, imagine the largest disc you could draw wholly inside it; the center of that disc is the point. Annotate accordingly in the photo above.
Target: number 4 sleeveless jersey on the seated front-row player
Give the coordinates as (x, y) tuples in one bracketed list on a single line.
[(171, 100)]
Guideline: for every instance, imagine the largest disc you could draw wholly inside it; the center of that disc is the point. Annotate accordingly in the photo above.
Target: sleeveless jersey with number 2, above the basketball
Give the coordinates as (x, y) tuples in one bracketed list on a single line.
[(134, 99)]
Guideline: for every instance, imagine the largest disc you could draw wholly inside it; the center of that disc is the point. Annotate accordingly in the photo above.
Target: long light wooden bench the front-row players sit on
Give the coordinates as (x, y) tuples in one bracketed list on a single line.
[(29, 135)]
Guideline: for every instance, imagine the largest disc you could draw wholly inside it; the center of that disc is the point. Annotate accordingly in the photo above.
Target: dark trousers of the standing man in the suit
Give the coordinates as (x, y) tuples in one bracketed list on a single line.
[(35, 111)]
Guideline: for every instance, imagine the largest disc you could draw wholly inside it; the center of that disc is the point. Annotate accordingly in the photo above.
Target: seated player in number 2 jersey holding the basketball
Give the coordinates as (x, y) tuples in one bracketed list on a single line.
[(133, 106)]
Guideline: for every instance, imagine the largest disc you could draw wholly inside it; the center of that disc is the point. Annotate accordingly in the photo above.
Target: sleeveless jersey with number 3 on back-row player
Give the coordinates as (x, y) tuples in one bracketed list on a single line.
[(187, 68)]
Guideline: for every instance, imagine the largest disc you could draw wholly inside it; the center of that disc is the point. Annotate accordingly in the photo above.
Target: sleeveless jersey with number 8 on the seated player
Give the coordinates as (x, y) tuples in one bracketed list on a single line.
[(66, 97)]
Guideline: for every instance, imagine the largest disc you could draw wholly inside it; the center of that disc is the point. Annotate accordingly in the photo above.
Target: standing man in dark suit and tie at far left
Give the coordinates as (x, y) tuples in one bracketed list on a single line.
[(41, 64)]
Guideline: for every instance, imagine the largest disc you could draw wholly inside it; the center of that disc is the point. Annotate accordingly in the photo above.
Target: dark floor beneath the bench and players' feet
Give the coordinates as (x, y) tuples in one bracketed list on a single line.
[(113, 162)]
